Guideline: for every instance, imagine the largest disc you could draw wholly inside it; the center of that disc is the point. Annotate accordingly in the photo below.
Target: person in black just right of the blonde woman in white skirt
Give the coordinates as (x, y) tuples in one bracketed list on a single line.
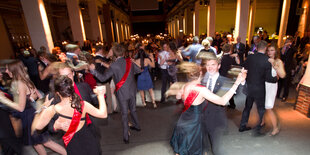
[(287, 57)]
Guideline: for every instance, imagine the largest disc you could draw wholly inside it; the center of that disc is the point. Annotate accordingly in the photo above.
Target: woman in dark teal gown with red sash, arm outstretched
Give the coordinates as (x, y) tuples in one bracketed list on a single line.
[(187, 136)]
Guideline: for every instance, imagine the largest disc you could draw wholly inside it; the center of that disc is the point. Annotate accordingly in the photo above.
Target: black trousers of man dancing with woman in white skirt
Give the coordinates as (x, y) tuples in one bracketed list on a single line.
[(260, 103)]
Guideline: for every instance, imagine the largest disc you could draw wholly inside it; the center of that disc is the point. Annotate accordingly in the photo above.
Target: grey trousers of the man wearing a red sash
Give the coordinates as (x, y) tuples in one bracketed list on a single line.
[(124, 106)]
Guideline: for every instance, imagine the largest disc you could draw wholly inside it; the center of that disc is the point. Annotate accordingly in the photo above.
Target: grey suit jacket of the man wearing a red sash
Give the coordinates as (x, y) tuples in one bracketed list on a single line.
[(117, 71)]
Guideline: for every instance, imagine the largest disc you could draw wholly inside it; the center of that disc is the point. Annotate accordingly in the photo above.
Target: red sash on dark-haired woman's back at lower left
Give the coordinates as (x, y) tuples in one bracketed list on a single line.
[(73, 126)]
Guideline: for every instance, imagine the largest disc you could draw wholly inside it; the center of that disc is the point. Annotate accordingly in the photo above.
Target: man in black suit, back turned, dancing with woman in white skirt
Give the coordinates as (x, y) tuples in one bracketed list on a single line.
[(259, 71)]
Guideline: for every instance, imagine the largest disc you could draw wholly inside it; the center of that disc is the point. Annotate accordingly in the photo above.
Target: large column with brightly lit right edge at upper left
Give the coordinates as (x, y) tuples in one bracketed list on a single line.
[(37, 23)]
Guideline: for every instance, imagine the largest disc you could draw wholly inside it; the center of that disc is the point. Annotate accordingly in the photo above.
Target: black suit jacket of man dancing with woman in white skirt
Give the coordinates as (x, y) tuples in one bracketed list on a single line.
[(259, 72)]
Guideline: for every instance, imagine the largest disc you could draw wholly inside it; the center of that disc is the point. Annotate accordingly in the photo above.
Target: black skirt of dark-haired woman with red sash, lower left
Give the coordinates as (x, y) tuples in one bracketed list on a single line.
[(84, 142)]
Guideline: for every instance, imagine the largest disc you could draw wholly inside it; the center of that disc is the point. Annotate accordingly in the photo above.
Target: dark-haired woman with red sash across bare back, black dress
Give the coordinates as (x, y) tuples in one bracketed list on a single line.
[(70, 114)]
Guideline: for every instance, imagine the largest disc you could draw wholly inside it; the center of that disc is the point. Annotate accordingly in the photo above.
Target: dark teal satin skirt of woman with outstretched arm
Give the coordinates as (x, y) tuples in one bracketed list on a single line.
[(187, 136)]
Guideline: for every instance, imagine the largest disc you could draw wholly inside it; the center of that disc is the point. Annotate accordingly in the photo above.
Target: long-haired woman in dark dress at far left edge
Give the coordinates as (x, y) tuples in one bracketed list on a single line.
[(25, 94)]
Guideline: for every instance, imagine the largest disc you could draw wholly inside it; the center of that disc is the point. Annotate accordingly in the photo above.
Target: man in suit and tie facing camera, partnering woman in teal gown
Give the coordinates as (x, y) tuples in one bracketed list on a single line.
[(214, 116)]
